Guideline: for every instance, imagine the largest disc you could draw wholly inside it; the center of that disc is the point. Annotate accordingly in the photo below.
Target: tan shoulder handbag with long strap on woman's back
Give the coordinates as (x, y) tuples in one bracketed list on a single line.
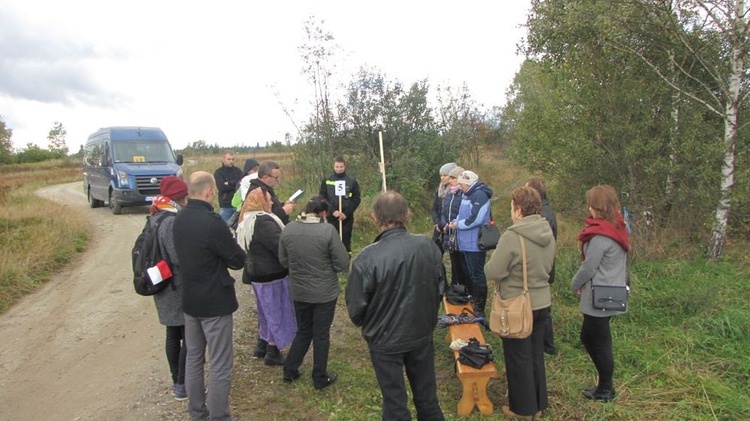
[(513, 318)]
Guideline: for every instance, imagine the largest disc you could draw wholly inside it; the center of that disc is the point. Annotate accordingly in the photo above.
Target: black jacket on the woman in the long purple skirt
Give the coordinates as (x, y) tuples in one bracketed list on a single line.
[(262, 263)]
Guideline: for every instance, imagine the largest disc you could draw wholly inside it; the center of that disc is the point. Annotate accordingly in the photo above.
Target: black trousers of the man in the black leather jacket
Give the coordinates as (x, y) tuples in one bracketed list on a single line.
[(420, 370)]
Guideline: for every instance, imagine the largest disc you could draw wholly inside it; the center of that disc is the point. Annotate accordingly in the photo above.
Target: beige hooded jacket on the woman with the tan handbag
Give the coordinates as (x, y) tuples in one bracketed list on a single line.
[(505, 266)]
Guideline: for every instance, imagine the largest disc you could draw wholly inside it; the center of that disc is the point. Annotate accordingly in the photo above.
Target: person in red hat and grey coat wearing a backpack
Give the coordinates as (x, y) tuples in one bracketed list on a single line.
[(169, 301)]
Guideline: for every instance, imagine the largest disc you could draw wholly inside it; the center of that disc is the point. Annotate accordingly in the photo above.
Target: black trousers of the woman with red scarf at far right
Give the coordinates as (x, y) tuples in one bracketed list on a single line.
[(596, 337)]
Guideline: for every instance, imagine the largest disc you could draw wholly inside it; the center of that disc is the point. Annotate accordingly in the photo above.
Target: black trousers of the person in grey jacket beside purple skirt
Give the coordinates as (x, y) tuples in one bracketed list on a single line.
[(313, 325)]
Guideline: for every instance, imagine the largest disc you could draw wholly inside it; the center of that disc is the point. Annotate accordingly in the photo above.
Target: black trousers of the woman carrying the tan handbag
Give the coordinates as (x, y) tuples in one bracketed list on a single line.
[(524, 367)]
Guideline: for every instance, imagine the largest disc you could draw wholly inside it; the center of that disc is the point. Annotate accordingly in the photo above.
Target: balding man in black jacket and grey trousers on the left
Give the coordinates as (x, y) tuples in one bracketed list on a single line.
[(206, 250)]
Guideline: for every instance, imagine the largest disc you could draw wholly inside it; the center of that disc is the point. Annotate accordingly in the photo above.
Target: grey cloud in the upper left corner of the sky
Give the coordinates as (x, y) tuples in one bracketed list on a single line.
[(37, 65)]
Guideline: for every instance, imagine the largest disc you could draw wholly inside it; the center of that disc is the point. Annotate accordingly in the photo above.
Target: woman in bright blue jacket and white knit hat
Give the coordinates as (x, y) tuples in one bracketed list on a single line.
[(474, 212)]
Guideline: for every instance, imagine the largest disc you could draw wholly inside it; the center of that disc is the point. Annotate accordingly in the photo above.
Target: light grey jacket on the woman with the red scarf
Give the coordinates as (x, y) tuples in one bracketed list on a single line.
[(606, 264)]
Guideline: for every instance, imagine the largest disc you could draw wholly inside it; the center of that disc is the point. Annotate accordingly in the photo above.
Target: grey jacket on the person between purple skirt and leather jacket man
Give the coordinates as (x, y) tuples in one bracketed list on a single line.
[(314, 253)]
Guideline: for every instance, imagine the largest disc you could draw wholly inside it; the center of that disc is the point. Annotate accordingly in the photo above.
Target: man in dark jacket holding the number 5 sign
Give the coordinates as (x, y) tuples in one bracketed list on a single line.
[(349, 203)]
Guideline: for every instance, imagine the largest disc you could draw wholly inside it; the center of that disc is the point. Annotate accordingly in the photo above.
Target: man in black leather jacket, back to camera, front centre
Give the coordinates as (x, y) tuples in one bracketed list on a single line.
[(393, 293)]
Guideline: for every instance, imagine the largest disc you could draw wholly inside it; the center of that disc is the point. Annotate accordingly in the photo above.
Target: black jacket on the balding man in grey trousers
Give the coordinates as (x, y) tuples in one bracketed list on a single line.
[(206, 249)]
